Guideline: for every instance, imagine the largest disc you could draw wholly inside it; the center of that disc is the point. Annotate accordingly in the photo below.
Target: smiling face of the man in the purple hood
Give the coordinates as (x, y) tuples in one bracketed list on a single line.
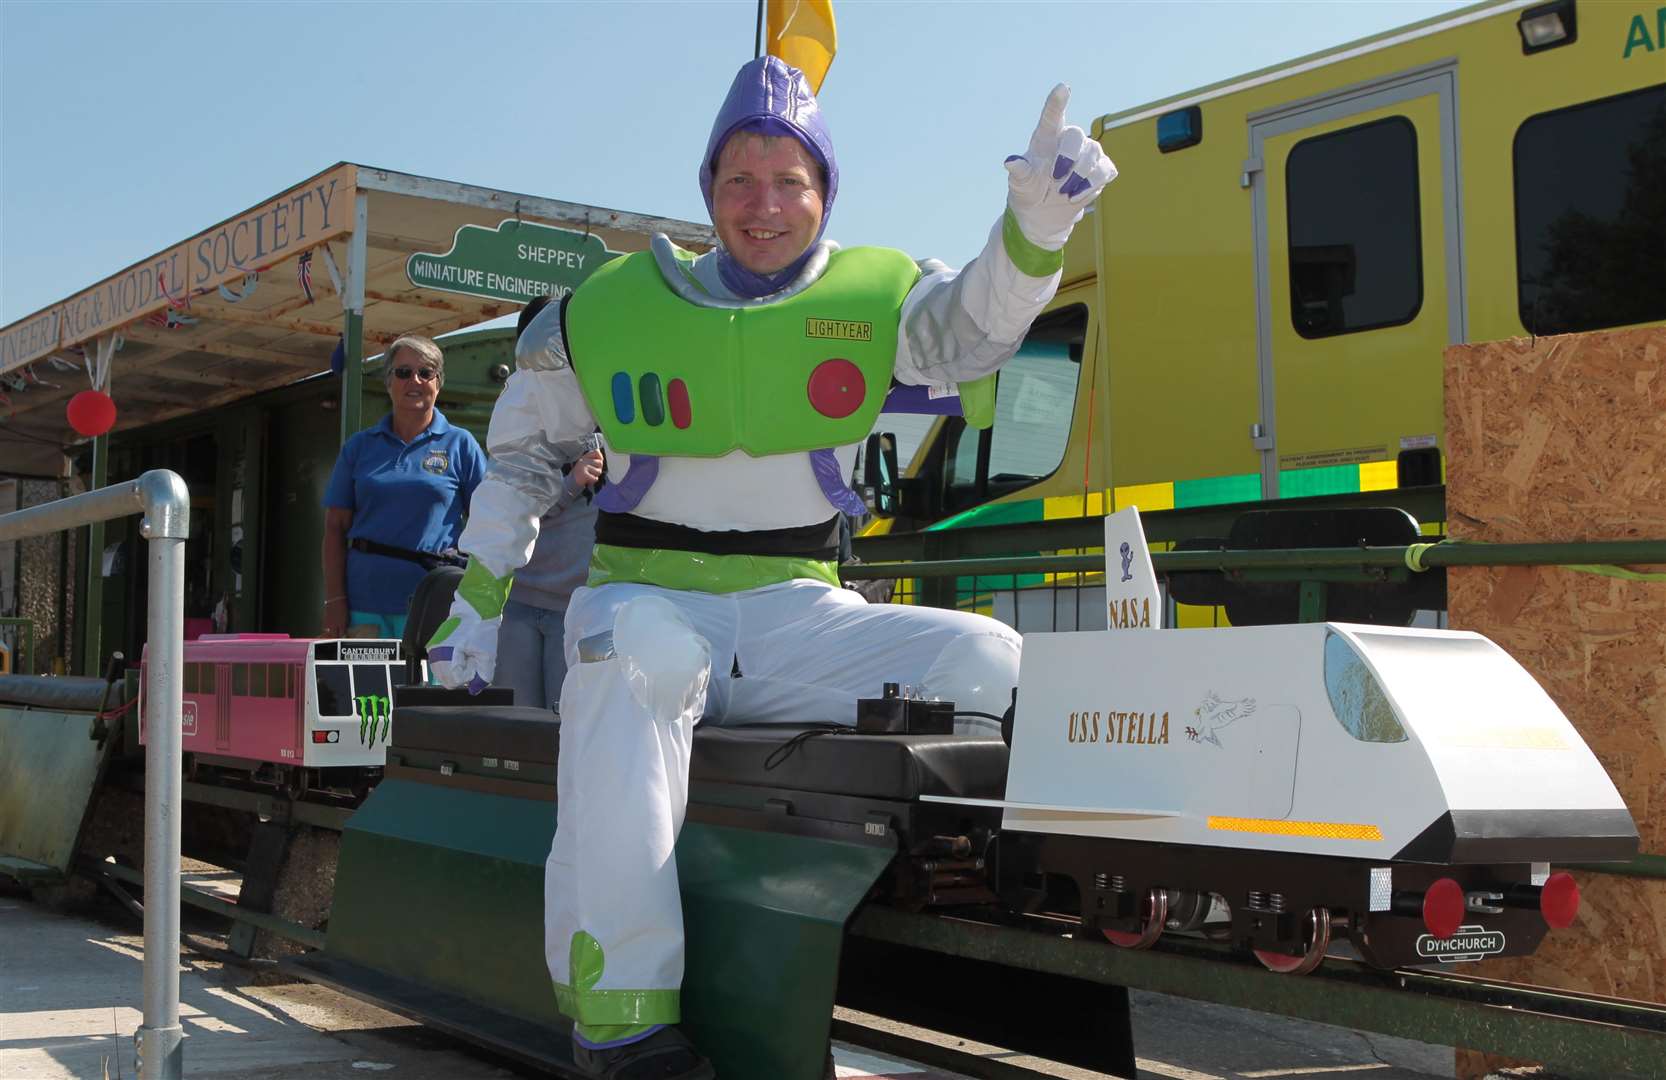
[(766, 201)]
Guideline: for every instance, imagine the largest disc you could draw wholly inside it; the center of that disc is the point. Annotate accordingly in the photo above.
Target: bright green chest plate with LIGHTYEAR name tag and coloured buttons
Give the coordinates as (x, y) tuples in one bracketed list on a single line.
[(669, 377)]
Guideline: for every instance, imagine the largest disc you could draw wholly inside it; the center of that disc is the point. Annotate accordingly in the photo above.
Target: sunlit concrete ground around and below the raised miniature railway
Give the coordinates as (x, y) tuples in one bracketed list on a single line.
[(71, 1002)]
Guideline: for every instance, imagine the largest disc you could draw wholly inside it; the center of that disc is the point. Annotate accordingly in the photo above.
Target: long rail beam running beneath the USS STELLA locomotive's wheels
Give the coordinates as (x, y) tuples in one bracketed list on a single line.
[(1457, 1011)]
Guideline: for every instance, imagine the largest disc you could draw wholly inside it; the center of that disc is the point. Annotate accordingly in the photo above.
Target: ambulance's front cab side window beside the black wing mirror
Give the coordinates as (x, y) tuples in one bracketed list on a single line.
[(1035, 396)]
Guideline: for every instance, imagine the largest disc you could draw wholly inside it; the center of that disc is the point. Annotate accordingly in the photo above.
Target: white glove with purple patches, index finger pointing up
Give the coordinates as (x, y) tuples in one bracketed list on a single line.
[(1052, 182)]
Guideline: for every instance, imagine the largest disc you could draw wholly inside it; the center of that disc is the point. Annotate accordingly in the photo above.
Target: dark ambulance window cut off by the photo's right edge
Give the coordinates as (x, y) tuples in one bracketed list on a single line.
[(1590, 214)]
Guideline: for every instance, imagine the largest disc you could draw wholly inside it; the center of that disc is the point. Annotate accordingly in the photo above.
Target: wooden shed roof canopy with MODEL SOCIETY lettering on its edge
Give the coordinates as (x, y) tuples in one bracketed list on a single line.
[(224, 314)]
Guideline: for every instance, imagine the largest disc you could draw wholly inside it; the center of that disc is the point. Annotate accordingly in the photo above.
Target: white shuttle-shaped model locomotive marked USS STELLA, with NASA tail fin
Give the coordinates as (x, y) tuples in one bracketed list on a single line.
[(1287, 786)]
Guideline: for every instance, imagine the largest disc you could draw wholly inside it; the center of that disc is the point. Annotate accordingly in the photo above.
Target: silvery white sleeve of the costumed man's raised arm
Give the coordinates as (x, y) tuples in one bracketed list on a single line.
[(964, 324)]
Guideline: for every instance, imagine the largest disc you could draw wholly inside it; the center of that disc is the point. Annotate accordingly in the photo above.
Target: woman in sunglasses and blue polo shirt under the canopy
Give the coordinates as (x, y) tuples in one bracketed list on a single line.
[(397, 499)]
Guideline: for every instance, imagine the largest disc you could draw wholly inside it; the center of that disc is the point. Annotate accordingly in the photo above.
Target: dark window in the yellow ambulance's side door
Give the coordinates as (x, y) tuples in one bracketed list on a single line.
[(1355, 229)]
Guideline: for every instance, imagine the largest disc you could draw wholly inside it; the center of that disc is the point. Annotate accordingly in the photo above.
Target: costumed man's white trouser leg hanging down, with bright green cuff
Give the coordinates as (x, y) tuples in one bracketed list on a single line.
[(614, 922)]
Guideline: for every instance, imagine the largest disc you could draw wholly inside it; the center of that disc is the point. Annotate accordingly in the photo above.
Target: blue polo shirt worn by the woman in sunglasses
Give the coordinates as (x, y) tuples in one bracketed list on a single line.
[(411, 496)]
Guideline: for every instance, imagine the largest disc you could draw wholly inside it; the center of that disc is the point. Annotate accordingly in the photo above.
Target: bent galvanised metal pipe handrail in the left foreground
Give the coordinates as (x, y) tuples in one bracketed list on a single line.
[(162, 497)]
